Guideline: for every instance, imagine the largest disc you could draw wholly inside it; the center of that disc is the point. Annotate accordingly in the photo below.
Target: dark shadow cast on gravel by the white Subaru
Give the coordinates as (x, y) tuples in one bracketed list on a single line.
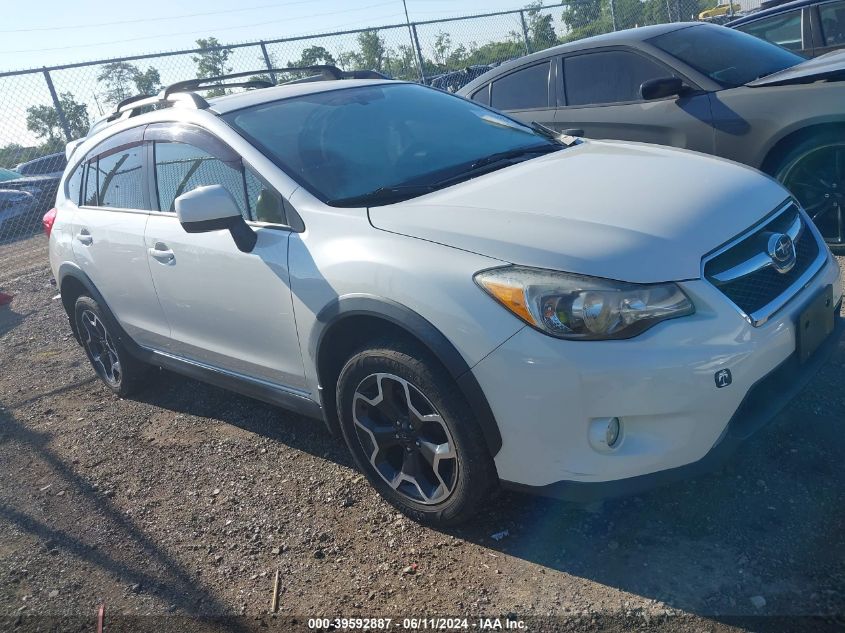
[(769, 524)]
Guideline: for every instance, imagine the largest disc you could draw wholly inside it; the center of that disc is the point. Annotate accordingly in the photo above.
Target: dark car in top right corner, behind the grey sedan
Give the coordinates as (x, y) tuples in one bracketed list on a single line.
[(808, 27)]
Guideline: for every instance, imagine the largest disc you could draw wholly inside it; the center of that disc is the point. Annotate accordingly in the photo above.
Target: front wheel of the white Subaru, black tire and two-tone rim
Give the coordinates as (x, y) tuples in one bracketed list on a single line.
[(437, 431)]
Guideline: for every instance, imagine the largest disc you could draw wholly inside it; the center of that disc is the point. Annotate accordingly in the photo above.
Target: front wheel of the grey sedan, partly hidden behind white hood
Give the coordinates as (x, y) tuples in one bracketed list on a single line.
[(814, 171)]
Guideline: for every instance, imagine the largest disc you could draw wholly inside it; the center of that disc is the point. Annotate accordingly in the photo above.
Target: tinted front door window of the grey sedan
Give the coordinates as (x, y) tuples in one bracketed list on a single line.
[(607, 77)]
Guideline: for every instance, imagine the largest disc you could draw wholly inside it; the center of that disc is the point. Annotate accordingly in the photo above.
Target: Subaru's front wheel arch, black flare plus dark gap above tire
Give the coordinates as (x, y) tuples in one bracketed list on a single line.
[(350, 321)]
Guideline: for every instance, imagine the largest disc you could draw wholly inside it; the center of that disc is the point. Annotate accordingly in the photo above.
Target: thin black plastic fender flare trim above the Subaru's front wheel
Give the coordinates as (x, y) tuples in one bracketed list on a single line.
[(419, 327)]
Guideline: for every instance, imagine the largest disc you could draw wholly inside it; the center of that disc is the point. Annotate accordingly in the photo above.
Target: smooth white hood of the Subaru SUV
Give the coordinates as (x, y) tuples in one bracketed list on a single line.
[(626, 211)]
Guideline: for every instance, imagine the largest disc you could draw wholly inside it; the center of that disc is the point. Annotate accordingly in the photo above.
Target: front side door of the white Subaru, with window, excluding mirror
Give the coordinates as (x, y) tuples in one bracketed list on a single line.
[(226, 309)]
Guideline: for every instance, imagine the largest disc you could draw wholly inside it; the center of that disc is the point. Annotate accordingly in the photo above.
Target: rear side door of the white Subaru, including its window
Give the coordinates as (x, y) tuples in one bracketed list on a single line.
[(108, 235)]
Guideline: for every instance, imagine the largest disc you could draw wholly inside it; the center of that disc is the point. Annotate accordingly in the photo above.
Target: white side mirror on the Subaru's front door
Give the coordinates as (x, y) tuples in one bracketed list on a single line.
[(213, 208)]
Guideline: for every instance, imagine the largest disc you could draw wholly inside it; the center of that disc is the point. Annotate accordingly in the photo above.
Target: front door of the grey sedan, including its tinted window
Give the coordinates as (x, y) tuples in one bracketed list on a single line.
[(601, 96)]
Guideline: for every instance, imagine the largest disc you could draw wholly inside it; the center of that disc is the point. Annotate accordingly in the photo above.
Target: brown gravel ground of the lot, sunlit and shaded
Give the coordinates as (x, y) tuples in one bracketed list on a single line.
[(176, 509)]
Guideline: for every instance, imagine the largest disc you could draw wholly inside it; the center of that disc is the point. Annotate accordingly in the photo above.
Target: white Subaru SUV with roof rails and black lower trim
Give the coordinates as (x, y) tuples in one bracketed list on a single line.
[(470, 301)]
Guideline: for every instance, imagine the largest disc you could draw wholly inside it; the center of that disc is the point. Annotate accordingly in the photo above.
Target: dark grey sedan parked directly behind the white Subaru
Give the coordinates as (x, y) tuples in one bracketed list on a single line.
[(697, 86)]
